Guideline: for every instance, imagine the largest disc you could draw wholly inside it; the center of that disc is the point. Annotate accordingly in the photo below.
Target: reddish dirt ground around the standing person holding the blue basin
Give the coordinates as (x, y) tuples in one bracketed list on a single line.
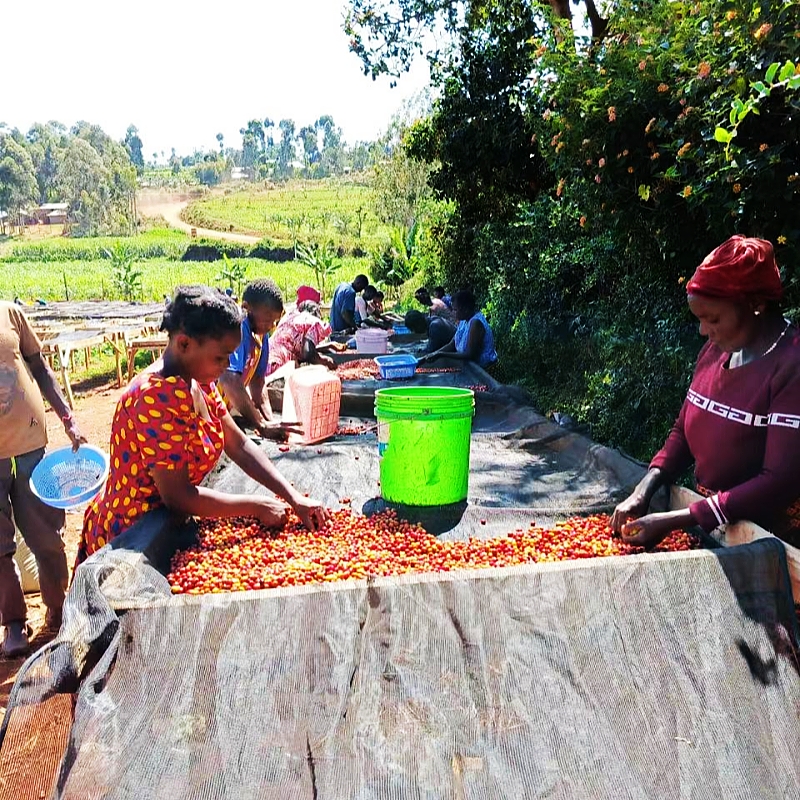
[(94, 408)]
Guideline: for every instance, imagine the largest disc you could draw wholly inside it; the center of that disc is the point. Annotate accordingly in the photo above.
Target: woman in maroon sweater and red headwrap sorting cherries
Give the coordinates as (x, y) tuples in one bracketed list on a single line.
[(740, 422)]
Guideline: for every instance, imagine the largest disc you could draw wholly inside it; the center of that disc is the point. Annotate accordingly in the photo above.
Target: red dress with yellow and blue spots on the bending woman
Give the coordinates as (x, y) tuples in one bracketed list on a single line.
[(159, 422)]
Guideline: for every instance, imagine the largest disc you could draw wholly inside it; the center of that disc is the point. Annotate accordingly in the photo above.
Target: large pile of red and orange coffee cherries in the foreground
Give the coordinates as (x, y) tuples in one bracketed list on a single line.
[(238, 554)]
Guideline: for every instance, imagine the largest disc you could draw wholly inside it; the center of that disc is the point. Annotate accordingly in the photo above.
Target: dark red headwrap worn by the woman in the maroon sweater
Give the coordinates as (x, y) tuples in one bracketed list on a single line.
[(740, 267)]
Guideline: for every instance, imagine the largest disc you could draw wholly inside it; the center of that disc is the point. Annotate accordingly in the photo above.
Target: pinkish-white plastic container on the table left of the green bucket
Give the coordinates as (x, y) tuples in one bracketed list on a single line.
[(316, 395)]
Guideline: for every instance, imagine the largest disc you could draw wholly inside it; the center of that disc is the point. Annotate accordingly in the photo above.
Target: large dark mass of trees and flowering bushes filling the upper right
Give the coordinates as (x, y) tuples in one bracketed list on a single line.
[(588, 178)]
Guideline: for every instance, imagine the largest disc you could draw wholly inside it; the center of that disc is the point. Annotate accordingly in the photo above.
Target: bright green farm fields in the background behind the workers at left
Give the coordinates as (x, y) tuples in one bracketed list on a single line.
[(56, 267)]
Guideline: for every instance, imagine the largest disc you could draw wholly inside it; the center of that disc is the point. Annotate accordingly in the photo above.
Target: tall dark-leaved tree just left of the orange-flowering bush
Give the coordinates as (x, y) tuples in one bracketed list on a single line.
[(482, 133)]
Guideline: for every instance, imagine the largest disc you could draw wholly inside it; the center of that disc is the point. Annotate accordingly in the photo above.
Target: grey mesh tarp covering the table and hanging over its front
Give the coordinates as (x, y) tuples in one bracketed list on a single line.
[(638, 677)]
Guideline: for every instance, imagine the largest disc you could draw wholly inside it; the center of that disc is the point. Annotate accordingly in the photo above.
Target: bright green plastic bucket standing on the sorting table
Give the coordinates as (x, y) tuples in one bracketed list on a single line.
[(423, 440)]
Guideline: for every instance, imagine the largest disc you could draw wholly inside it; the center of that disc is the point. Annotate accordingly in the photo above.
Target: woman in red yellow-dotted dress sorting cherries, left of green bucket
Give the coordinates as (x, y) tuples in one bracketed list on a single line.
[(171, 426)]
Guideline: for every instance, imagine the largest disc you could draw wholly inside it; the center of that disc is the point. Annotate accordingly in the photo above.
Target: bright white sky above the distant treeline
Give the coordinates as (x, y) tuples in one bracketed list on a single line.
[(184, 71)]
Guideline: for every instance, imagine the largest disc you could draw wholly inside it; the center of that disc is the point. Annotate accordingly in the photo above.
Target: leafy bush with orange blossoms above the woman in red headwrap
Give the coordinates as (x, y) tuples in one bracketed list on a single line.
[(680, 133)]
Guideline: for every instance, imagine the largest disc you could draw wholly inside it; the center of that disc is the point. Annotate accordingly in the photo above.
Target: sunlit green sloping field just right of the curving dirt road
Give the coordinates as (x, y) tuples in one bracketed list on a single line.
[(310, 210)]
